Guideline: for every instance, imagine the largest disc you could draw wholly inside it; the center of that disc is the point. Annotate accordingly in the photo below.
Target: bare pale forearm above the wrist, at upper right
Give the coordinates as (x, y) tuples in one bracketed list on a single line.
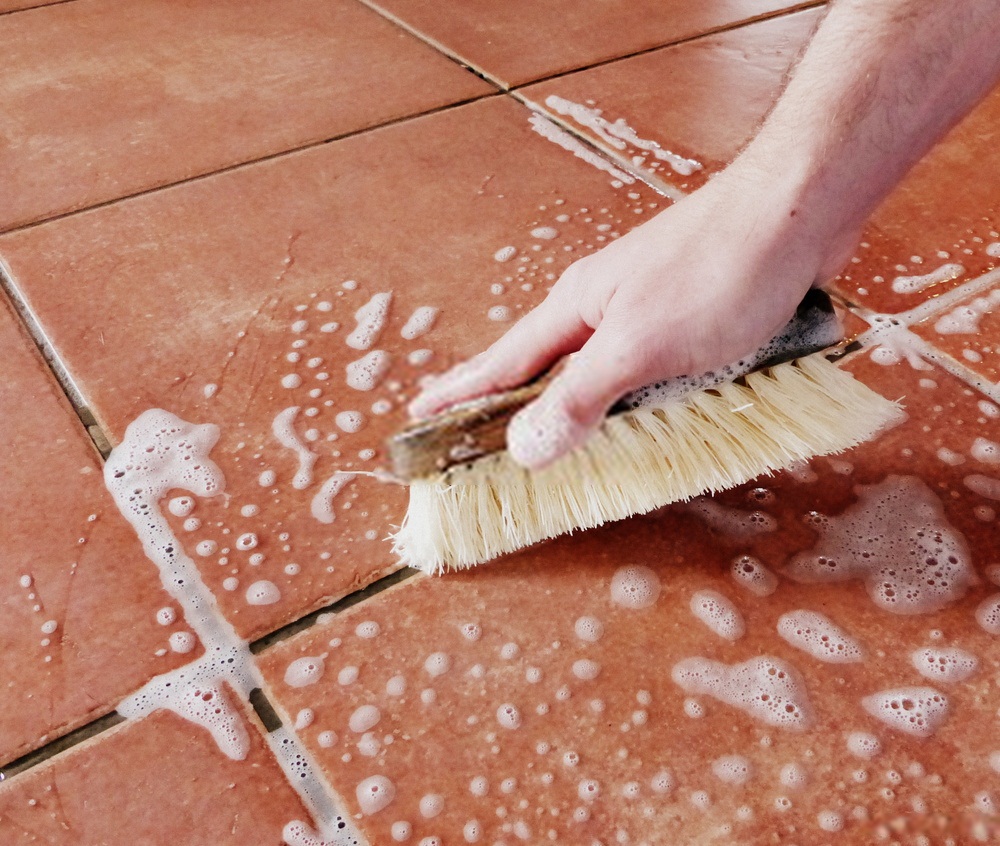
[(879, 84)]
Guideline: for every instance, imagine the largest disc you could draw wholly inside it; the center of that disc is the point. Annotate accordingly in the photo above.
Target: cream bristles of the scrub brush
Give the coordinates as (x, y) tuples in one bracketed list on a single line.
[(641, 460)]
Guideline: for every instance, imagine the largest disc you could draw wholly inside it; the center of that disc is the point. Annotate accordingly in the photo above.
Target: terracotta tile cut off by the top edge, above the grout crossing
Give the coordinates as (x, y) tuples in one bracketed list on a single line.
[(520, 42)]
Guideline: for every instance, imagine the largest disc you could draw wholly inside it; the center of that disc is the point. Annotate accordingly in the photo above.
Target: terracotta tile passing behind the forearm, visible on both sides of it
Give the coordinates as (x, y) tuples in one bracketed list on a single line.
[(720, 87)]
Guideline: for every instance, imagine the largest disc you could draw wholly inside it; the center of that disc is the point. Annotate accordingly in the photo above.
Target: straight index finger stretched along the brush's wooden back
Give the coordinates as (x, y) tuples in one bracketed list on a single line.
[(545, 334)]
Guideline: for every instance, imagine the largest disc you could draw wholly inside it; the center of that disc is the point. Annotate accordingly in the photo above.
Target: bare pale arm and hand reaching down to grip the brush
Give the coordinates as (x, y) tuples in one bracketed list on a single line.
[(717, 274)]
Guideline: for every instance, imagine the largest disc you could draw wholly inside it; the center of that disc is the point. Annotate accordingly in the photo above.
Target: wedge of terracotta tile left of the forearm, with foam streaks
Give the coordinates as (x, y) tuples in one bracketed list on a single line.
[(702, 99)]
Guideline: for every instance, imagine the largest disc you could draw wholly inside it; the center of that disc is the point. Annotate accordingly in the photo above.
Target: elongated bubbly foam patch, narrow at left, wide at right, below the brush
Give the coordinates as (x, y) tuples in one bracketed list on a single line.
[(766, 688)]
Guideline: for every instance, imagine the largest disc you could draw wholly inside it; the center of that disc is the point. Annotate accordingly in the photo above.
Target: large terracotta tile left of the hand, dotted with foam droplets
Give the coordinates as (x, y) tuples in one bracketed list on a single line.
[(215, 276)]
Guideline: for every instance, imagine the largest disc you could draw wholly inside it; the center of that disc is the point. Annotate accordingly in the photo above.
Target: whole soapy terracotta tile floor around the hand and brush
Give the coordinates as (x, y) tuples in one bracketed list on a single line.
[(206, 224)]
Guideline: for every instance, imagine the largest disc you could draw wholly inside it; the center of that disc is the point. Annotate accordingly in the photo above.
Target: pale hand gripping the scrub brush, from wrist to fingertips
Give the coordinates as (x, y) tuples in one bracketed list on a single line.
[(705, 282)]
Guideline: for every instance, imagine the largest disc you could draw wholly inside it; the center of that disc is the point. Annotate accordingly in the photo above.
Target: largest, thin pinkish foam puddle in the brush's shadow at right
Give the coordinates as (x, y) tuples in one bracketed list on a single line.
[(895, 538)]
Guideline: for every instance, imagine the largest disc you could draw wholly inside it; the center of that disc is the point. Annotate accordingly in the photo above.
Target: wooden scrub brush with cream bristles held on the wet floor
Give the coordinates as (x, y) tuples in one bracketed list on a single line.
[(668, 442)]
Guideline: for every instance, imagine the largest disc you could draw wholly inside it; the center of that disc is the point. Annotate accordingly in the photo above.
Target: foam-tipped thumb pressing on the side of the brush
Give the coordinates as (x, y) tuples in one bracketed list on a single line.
[(577, 401)]
